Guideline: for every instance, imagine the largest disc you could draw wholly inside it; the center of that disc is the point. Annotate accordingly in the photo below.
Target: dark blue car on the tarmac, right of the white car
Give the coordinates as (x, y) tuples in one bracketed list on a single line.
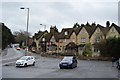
[(68, 62)]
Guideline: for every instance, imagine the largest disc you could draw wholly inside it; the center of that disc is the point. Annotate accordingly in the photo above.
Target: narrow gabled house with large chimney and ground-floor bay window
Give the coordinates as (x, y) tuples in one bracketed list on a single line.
[(52, 40)]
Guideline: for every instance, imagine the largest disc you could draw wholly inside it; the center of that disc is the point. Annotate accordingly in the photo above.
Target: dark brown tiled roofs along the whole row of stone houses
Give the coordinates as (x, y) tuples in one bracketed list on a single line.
[(76, 28)]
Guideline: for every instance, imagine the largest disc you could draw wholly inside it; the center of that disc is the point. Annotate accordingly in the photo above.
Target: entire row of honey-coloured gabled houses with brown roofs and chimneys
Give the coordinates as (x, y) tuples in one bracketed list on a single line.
[(74, 39)]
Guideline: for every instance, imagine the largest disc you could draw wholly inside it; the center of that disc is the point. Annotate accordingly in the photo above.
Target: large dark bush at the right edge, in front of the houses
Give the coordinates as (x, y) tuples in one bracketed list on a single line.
[(110, 47)]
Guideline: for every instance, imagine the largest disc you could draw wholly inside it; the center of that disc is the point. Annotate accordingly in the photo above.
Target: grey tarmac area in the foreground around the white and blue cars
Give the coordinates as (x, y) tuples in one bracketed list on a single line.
[(48, 68)]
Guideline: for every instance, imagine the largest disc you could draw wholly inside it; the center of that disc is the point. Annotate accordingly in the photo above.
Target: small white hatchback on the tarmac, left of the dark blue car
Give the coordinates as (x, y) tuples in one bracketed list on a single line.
[(25, 61)]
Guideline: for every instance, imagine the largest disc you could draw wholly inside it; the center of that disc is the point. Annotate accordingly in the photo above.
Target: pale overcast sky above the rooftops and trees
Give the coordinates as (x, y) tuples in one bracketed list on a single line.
[(62, 13)]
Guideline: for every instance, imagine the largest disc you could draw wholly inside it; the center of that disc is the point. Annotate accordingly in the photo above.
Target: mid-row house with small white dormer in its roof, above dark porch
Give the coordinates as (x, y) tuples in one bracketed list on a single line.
[(66, 36)]
